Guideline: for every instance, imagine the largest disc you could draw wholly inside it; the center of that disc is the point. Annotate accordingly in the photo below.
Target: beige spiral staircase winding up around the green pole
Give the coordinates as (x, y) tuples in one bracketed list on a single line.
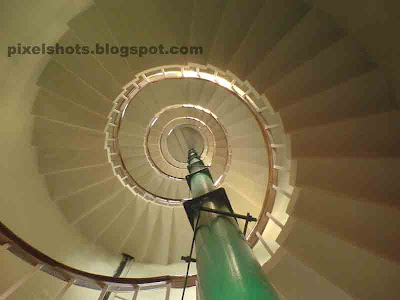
[(293, 105)]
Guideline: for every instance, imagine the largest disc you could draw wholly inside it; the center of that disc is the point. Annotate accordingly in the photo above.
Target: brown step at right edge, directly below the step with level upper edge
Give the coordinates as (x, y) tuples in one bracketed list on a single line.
[(366, 225)]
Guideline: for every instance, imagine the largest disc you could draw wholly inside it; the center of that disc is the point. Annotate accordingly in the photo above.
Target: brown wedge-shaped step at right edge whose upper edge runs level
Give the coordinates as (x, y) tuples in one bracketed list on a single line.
[(364, 178)]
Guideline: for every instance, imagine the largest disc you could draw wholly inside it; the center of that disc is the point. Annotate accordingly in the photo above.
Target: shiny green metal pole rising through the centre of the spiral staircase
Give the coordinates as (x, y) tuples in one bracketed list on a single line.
[(226, 266)]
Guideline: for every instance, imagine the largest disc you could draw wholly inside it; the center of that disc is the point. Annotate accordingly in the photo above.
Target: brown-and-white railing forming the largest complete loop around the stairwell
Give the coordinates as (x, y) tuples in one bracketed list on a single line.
[(255, 102)]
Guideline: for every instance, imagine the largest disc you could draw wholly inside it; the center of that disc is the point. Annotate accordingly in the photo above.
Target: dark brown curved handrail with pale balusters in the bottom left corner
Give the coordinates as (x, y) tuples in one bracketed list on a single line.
[(9, 241)]
